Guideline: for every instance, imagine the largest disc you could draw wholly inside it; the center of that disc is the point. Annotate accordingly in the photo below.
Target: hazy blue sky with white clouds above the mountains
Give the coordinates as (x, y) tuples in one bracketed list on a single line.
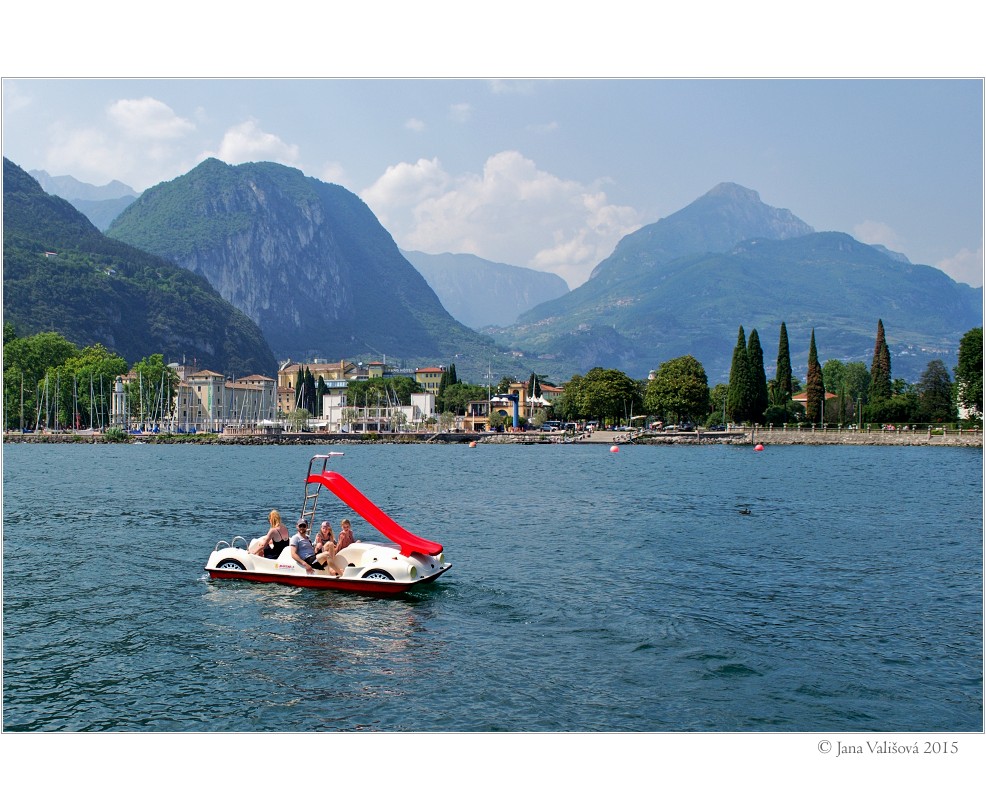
[(547, 173)]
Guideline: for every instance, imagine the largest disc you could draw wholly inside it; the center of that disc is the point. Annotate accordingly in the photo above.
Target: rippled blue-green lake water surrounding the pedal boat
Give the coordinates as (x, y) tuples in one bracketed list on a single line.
[(590, 591)]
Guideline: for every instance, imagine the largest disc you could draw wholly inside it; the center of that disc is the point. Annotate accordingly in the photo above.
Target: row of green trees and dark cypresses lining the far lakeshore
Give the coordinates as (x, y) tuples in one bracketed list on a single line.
[(45, 375)]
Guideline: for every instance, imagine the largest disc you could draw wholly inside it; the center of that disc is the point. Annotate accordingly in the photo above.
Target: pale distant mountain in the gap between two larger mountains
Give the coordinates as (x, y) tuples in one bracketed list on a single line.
[(481, 293)]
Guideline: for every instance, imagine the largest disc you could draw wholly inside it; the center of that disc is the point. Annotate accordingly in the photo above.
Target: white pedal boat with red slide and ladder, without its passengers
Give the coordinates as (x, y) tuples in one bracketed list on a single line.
[(392, 565)]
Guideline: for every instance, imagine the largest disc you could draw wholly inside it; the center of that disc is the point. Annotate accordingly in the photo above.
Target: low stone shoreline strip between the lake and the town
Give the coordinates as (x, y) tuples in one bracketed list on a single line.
[(966, 437)]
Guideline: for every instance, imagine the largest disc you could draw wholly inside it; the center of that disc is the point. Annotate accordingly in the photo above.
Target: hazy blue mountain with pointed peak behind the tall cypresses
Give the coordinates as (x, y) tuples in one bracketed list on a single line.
[(685, 284)]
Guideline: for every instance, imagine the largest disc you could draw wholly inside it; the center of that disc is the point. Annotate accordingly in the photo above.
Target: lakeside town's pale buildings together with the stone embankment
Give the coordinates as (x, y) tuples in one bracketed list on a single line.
[(257, 409)]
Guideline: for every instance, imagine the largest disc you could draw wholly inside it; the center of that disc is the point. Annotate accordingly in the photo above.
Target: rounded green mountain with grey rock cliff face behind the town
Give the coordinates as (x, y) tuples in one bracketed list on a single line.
[(306, 260)]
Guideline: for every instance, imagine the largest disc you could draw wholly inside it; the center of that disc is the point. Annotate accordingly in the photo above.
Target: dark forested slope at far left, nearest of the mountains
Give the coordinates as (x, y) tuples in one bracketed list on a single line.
[(60, 273)]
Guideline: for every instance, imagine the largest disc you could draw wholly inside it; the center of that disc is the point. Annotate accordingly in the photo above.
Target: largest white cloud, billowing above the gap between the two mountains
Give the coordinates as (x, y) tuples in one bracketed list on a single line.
[(513, 212)]
